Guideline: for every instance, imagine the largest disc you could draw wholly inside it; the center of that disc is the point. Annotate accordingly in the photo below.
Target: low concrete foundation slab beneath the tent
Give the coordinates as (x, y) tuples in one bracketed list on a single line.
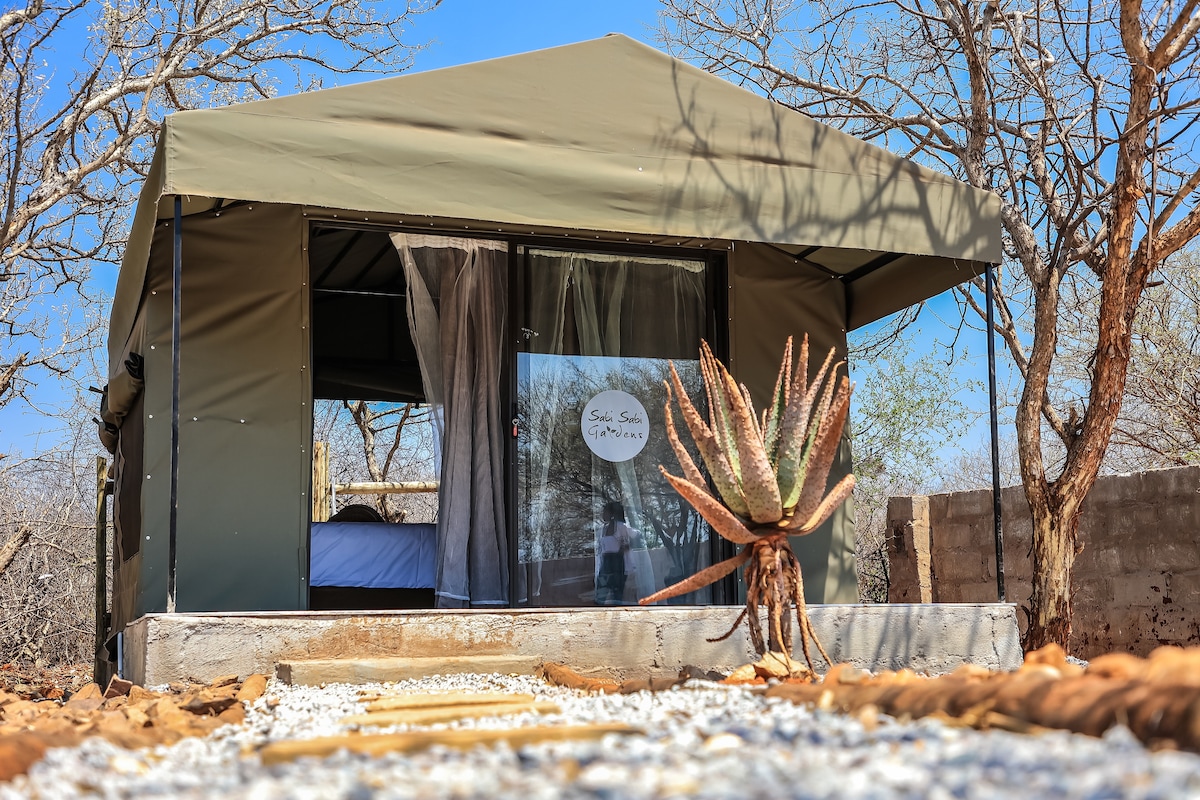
[(620, 643)]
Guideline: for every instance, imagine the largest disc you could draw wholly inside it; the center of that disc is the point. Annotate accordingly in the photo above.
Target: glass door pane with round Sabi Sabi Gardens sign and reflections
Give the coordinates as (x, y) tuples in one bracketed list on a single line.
[(597, 524)]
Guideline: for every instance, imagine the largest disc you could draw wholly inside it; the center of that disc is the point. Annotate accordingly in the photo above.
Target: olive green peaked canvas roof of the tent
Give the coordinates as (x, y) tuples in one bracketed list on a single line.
[(605, 136)]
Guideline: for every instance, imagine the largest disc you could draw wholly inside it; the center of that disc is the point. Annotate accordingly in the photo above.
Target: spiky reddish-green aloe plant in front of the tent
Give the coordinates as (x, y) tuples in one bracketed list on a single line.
[(770, 474)]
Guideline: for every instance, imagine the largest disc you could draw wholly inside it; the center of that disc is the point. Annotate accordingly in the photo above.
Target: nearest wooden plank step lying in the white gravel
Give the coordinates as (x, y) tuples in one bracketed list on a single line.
[(416, 741)]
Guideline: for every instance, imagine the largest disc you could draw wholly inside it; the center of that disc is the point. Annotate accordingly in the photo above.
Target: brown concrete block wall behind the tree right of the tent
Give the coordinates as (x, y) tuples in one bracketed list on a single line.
[(1137, 582)]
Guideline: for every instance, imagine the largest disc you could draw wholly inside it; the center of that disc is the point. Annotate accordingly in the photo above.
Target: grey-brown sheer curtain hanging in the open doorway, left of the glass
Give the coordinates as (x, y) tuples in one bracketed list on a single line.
[(457, 311)]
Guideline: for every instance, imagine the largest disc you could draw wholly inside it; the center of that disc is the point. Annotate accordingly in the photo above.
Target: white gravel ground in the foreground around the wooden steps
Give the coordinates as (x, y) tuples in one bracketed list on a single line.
[(701, 741)]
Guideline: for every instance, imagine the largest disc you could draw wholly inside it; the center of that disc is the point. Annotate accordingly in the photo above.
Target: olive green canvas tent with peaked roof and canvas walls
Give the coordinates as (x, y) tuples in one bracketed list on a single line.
[(605, 147)]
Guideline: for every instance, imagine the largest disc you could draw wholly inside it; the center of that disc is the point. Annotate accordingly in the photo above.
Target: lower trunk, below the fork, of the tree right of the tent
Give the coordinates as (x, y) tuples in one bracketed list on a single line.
[(1055, 537)]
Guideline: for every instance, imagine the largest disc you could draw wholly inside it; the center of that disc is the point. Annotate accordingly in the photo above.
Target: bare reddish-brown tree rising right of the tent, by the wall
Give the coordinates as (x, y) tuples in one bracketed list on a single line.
[(1081, 117)]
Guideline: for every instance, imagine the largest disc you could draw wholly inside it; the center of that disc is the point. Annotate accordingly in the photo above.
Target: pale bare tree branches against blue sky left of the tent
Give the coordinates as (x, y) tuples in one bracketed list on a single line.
[(83, 89)]
